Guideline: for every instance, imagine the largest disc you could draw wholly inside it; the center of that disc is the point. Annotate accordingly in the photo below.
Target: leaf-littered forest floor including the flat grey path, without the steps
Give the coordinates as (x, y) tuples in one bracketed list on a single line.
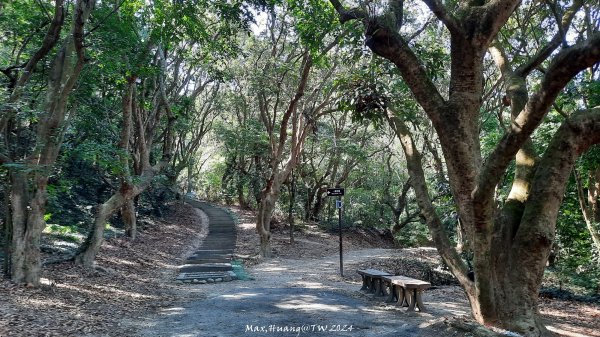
[(135, 293)]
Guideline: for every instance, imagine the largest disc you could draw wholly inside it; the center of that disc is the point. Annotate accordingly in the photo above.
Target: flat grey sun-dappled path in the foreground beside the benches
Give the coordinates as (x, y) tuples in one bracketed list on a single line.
[(306, 297)]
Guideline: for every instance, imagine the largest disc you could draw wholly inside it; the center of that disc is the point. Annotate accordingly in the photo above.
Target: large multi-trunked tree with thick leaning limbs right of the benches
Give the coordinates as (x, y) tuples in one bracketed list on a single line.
[(510, 239)]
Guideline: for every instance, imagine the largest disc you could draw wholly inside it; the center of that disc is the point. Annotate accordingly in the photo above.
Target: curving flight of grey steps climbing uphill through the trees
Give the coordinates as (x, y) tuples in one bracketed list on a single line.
[(212, 261)]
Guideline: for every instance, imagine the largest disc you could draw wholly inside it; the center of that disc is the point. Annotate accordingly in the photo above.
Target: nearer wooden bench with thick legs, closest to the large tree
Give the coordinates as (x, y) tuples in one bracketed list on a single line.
[(406, 291)]
